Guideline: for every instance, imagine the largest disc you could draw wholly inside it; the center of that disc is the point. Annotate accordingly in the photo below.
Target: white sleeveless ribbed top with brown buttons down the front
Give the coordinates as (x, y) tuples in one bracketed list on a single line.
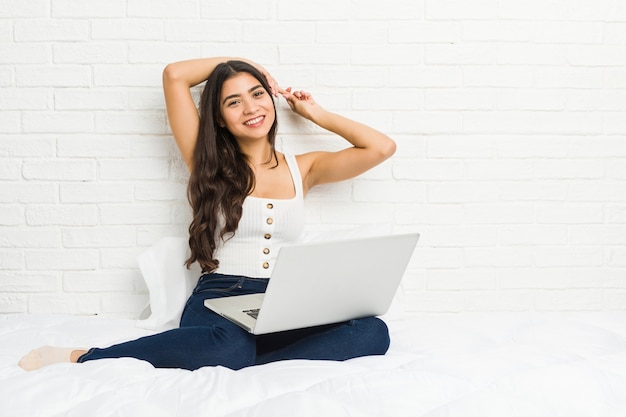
[(265, 225)]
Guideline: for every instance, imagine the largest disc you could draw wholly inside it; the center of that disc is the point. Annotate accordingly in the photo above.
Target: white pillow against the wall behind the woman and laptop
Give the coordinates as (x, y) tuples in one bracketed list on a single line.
[(170, 283)]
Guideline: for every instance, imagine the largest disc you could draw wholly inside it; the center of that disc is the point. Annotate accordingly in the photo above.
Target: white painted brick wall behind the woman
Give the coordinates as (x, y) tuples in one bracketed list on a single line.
[(510, 119)]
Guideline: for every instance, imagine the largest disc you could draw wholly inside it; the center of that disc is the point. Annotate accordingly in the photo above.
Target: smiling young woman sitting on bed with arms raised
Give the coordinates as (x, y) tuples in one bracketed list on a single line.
[(247, 200)]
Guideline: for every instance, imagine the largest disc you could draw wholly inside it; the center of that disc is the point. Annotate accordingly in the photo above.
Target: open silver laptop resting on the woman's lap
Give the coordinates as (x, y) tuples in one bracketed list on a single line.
[(323, 282)]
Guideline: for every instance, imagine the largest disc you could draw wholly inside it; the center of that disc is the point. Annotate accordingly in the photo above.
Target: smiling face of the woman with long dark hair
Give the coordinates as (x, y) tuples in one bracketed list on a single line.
[(247, 109)]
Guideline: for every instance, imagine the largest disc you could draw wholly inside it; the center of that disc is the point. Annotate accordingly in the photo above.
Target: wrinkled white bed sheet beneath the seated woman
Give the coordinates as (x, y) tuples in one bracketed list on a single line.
[(498, 364)]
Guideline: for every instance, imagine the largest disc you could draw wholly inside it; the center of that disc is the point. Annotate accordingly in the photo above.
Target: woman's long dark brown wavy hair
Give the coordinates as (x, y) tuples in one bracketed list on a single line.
[(221, 178)]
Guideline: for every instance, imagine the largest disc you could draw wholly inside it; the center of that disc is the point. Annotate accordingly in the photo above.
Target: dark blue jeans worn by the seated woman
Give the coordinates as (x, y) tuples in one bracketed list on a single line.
[(206, 339)]
